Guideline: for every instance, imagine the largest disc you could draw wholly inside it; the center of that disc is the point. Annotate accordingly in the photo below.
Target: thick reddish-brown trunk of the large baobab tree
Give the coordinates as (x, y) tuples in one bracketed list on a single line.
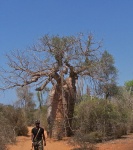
[(62, 108)]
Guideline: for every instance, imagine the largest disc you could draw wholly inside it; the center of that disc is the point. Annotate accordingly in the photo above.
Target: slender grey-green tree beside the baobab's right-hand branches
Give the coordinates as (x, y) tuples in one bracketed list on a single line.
[(109, 73)]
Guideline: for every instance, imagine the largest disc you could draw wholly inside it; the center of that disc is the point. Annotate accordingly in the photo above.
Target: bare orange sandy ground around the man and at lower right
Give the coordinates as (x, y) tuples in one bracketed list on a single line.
[(24, 143)]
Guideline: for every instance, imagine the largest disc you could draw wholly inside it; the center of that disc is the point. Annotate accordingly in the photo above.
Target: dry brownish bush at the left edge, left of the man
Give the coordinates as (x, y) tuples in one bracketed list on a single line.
[(12, 123)]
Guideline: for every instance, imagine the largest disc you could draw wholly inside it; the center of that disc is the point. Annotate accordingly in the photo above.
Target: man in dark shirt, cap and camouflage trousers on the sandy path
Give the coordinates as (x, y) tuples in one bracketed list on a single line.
[(38, 136)]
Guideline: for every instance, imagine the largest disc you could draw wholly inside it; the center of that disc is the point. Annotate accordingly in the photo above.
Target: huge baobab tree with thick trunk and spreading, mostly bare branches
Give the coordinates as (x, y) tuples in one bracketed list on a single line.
[(57, 61)]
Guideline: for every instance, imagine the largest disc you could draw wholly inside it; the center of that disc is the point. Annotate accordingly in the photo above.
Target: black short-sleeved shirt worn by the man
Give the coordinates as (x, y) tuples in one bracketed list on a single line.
[(40, 133)]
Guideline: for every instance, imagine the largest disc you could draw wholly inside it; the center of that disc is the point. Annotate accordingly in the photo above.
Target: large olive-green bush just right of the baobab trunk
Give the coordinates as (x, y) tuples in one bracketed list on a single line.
[(100, 120)]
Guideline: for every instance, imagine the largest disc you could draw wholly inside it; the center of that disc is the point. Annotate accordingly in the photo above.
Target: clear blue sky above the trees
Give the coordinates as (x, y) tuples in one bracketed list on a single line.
[(23, 22)]
